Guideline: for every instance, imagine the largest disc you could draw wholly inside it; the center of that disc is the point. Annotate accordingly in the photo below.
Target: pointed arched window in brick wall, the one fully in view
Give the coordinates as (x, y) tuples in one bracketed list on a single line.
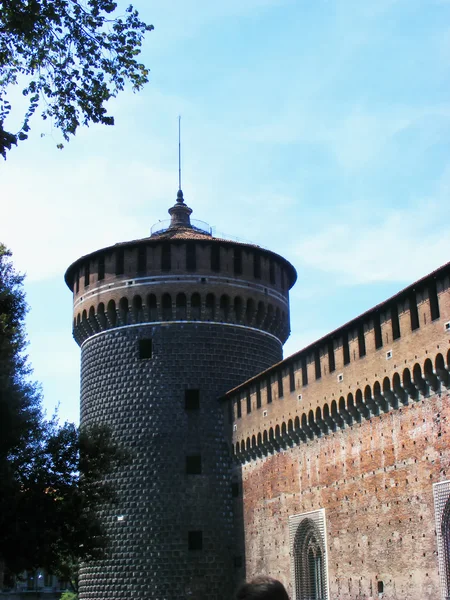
[(309, 562)]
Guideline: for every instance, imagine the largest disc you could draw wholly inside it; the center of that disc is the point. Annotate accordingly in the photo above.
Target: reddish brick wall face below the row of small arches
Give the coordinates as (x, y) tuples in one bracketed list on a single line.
[(374, 480)]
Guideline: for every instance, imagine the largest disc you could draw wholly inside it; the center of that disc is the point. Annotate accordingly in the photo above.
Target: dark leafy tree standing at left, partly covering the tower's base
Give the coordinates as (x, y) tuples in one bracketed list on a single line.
[(52, 478)]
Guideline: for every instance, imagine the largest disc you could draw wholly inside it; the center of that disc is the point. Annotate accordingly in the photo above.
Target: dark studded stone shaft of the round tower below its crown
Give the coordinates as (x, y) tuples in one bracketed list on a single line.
[(158, 503)]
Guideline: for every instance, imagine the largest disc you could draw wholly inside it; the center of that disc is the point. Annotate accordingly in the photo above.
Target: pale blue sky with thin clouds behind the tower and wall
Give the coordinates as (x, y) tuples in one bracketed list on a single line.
[(319, 129)]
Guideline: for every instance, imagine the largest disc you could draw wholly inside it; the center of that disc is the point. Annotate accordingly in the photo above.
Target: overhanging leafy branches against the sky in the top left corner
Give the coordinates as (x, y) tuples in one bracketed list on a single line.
[(71, 56)]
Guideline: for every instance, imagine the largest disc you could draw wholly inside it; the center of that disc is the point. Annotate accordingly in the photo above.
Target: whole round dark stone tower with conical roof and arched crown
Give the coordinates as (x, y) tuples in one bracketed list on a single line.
[(166, 325)]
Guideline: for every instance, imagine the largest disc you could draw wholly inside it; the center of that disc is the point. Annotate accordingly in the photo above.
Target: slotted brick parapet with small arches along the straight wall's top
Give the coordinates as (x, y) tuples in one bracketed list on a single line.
[(391, 356)]
